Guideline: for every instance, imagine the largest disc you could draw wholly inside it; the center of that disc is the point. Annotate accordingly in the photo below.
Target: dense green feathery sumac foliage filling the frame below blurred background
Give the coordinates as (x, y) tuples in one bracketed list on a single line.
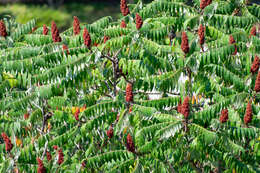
[(80, 100)]
